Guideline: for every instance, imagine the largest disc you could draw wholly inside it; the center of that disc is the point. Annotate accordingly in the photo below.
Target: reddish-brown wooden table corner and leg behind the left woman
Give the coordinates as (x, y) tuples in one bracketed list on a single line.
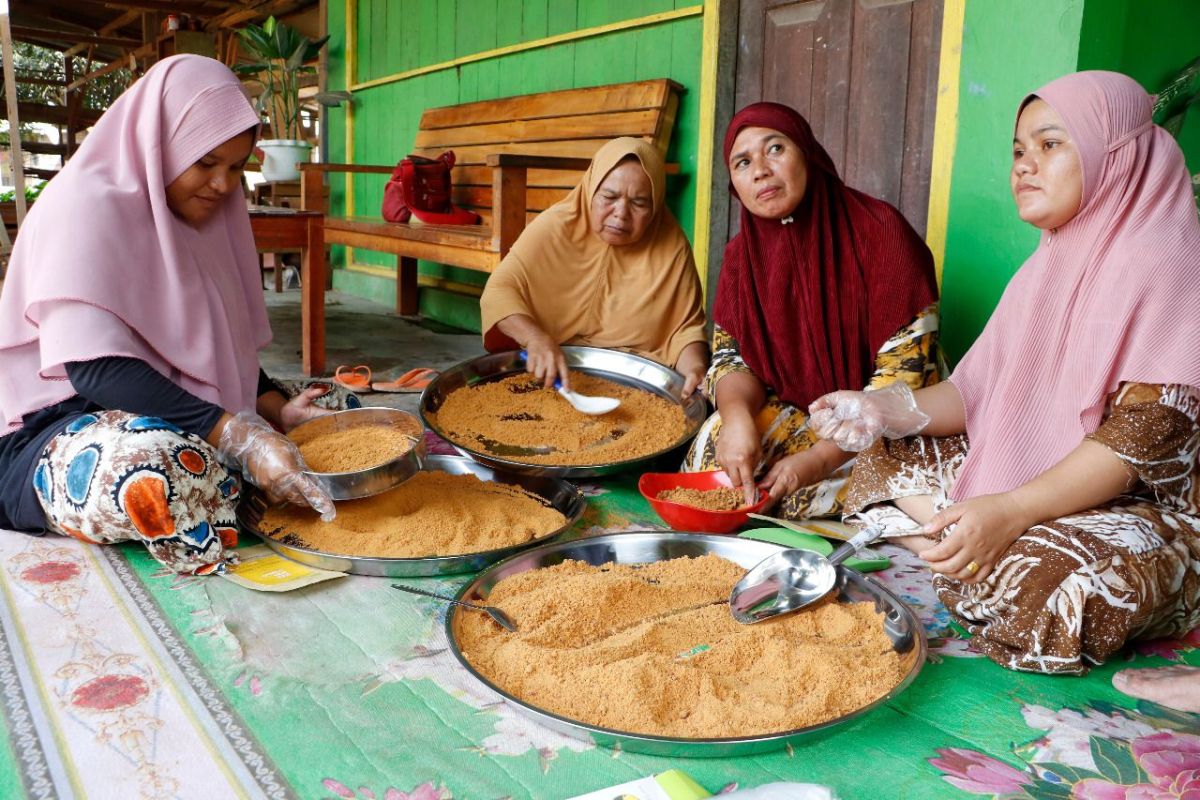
[(284, 230)]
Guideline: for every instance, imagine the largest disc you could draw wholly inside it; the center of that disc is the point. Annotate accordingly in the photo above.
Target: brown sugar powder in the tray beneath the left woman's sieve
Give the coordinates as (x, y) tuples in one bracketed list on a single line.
[(433, 514)]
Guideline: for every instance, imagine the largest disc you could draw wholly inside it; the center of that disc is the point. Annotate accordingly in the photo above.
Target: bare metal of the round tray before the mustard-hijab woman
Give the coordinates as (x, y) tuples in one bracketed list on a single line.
[(625, 369)]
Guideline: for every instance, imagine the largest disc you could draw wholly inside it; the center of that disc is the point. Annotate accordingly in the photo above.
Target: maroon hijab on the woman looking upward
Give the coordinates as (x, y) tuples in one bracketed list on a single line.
[(812, 303)]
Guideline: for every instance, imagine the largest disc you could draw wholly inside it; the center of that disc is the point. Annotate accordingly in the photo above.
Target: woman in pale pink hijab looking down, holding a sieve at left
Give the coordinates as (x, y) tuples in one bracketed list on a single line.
[(130, 328)]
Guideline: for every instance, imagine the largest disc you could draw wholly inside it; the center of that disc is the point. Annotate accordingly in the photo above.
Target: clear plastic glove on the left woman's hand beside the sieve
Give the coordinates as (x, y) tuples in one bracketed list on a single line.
[(272, 462)]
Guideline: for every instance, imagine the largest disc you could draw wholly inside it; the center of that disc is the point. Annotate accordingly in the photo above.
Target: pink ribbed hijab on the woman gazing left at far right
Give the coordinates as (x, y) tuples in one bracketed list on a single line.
[(1112, 297)]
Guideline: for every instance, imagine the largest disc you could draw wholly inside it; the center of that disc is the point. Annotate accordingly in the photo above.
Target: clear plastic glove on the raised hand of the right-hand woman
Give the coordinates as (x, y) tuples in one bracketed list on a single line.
[(856, 420)]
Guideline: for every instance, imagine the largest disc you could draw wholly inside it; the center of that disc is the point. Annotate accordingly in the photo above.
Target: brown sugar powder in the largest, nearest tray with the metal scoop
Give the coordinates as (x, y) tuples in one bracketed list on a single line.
[(653, 649)]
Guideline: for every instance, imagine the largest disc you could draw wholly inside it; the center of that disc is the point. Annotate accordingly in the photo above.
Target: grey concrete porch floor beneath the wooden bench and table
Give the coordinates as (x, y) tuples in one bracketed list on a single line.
[(359, 332)]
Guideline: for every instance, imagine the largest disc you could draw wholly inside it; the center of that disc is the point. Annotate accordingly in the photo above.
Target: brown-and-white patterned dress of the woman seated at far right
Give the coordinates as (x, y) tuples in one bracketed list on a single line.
[(1070, 593)]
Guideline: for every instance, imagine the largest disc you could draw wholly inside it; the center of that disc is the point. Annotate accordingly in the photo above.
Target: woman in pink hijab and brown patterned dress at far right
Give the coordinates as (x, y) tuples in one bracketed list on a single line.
[(1055, 490)]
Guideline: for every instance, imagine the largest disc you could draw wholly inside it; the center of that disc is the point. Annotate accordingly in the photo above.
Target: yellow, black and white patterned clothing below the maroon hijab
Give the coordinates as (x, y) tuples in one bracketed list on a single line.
[(908, 356)]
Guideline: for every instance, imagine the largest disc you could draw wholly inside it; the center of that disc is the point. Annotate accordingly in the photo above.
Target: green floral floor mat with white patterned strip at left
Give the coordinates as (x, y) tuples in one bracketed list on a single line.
[(347, 690)]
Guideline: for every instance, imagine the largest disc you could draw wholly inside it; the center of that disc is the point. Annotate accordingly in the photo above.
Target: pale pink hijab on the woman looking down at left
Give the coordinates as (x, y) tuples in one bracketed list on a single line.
[(103, 267)]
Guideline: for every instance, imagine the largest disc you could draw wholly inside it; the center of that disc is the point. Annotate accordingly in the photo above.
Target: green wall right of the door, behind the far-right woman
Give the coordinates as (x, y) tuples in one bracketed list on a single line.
[(1010, 50)]
